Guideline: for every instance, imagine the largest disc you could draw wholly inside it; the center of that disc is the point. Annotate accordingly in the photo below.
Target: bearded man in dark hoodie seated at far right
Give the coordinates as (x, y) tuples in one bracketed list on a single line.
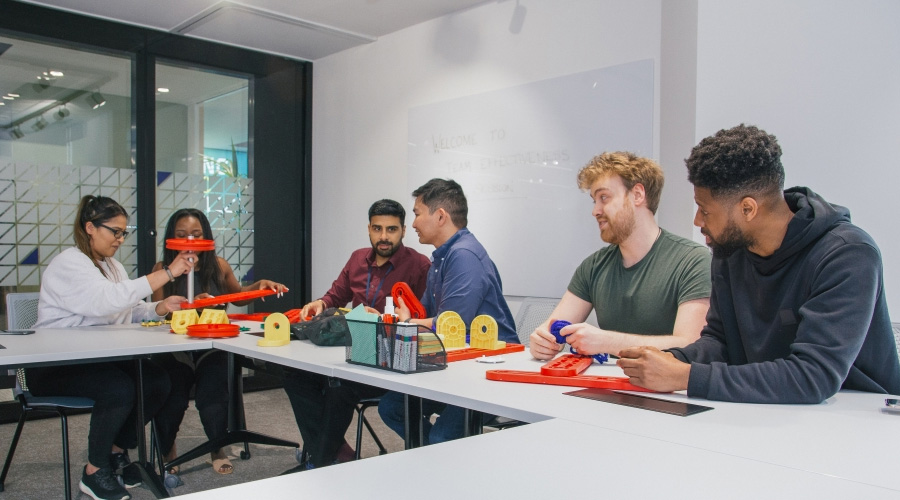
[(797, 310)]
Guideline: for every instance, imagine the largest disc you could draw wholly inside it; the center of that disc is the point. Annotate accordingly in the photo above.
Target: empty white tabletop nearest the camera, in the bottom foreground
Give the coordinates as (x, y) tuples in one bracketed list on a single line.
[(575, 461)]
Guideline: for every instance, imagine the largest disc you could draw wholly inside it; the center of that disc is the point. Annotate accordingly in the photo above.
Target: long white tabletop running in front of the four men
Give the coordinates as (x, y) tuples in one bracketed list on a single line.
[(848, 436)]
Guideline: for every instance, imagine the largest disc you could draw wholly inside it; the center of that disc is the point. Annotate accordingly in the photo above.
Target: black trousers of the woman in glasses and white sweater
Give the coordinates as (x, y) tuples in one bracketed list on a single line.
[(112, 387)]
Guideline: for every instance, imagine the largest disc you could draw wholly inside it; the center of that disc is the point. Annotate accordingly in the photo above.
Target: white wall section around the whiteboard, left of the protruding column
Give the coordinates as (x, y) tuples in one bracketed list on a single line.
[(361, 98)]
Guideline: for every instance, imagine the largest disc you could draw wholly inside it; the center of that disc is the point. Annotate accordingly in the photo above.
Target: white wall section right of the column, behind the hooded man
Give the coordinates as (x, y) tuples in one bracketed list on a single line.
[(824, 77)]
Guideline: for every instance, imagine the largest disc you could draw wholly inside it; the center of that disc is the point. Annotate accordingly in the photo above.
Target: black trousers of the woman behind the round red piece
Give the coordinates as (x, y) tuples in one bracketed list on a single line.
[(210, 376)]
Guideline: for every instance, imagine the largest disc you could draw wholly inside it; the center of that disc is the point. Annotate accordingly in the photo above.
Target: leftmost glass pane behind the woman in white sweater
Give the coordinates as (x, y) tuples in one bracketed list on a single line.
[(65, 132)]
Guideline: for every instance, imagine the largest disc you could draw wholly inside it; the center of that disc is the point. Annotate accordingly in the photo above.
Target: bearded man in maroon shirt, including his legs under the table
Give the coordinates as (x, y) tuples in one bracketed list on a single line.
[(323, 406)]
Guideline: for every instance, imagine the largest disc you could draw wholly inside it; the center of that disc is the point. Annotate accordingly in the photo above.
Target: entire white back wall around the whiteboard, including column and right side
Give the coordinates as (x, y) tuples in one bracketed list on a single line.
[(822, 75)]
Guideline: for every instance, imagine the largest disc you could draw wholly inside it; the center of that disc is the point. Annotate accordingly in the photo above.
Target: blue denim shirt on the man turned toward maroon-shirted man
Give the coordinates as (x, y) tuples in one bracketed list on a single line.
[(464, 279)]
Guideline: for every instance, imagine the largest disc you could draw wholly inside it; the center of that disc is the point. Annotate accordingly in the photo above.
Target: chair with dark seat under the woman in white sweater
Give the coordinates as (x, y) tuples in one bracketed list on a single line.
[(21, 310)]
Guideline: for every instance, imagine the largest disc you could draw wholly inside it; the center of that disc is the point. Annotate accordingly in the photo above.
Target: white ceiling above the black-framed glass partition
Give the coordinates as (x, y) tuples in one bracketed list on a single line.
[(300, 29)]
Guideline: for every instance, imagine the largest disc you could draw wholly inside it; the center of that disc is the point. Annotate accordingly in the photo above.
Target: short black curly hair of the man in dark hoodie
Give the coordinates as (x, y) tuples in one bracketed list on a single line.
[(739, 161)]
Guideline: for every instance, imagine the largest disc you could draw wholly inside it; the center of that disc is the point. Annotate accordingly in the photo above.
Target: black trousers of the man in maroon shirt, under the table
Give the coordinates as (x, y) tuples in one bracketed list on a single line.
[(323, 407)]
